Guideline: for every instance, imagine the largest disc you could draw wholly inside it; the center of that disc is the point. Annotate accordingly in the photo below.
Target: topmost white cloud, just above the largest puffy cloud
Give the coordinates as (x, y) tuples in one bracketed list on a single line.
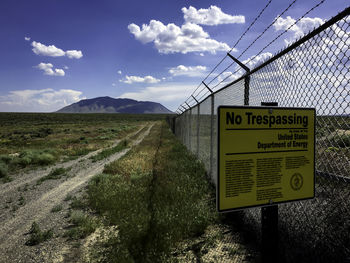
[(211, 16)]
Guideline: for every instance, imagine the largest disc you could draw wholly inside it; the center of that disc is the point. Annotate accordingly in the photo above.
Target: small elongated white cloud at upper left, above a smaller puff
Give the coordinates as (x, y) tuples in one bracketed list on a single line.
[(53, 51)]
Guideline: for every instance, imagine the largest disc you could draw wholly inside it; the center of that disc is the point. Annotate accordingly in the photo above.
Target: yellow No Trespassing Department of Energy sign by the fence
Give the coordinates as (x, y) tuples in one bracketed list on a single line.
[(266, 155)]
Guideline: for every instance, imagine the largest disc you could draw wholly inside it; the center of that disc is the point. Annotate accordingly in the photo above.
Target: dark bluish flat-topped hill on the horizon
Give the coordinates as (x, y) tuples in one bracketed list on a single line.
[(110, 105)]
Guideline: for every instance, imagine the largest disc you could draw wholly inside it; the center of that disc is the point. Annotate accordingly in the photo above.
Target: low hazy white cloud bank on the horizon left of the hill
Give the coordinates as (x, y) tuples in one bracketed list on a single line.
[(39, 100)]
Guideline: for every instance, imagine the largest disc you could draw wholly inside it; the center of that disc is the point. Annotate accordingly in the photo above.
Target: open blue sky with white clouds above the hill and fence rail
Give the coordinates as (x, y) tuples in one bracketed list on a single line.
[(56, 52)]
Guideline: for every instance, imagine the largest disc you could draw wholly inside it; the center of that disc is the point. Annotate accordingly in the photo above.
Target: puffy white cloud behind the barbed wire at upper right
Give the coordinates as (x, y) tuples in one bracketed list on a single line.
[(301, 28)]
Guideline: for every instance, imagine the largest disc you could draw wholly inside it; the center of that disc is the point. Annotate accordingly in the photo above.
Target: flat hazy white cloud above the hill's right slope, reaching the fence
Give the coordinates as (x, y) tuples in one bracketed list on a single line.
[(170, 95)]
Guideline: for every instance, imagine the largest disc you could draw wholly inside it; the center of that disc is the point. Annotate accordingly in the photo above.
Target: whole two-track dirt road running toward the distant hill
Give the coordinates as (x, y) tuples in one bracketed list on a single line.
[(23, 201)]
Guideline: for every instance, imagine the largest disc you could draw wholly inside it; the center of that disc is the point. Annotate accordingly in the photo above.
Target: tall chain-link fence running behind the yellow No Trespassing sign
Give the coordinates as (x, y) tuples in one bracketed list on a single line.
[(312, 72)]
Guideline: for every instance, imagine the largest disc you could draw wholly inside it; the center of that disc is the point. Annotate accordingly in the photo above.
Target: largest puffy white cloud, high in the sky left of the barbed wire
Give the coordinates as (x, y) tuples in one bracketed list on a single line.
[(174, 39)]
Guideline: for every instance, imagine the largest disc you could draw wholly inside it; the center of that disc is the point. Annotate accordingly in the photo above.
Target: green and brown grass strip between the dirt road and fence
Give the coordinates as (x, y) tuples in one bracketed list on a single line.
[(156, 195)]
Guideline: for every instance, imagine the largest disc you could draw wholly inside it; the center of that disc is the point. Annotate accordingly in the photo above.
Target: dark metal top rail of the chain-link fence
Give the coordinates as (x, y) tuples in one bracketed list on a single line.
[(302, 40)]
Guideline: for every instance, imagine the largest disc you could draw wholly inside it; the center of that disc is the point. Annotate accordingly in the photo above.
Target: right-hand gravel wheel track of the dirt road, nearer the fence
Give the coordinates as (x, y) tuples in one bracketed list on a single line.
[(12, 231)]
